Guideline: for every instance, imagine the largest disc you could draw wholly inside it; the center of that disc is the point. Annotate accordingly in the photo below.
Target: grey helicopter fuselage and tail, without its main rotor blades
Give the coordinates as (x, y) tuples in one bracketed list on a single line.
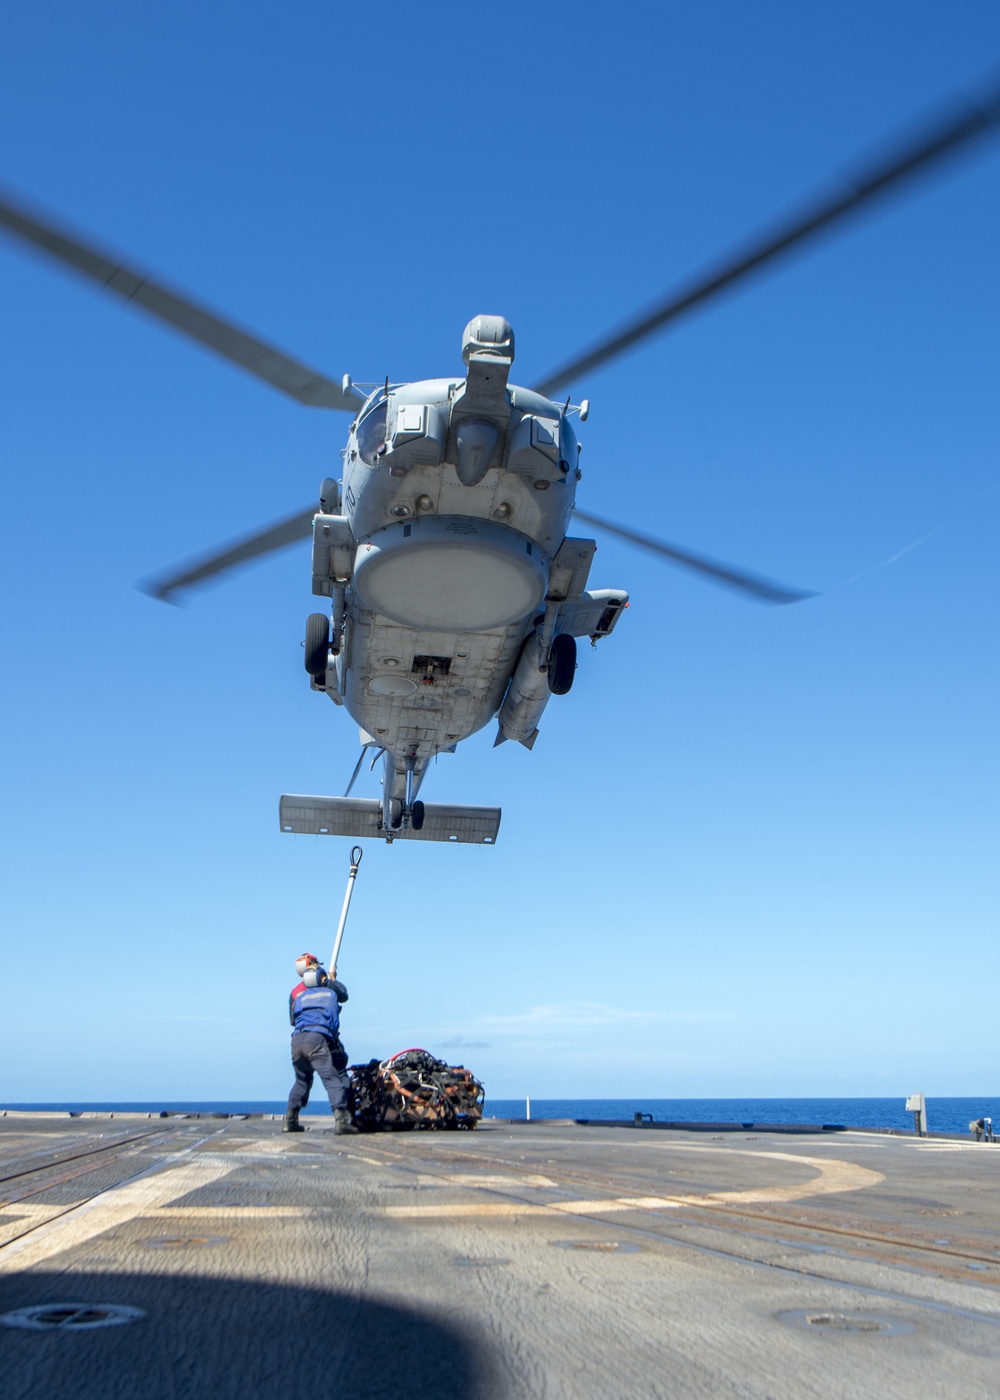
[(456, 593)]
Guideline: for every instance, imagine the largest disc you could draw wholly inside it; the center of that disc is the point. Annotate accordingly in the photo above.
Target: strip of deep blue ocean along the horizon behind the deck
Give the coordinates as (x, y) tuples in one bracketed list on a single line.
[(943, 1115)]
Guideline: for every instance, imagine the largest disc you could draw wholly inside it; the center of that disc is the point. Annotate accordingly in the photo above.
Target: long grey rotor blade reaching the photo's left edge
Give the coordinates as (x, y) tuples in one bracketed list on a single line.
[(237, 346)]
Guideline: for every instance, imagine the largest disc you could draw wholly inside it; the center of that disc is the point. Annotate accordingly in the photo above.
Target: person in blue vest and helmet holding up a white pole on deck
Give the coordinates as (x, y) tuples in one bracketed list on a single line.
[(314, 1011)]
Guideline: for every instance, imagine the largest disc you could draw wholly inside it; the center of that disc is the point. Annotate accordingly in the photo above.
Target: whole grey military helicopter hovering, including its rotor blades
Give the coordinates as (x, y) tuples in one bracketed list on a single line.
[(454, 591)]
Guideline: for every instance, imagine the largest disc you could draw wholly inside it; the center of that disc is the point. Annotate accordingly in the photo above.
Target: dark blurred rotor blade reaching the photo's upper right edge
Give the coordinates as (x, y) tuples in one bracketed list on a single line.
[(914, 157)]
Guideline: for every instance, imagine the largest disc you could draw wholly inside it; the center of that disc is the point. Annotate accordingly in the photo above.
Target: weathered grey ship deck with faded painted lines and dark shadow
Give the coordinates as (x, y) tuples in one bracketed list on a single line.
[(520, 1261)]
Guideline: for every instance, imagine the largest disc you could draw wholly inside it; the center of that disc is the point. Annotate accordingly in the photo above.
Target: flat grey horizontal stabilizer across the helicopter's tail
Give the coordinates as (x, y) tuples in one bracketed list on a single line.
[(363, 817)]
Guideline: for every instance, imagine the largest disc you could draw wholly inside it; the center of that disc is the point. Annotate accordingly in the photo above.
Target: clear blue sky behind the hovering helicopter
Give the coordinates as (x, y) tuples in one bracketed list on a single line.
[(754, 852)]
